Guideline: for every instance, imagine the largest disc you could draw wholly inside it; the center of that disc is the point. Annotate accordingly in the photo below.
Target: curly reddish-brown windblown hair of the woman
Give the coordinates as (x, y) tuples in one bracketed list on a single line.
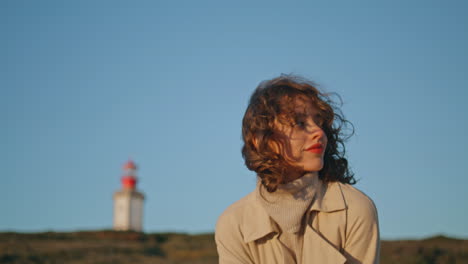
[(270, 103)]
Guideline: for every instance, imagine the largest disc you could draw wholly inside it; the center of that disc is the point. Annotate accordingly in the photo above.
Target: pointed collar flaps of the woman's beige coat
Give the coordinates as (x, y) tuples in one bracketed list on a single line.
[(328, 199)]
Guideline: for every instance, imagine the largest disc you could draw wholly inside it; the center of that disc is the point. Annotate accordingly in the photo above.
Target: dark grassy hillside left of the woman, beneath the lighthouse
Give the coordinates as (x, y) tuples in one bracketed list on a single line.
[(105, 247)]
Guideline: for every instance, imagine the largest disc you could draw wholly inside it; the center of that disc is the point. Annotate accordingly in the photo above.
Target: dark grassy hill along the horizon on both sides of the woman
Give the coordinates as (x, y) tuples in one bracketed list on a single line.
[(172, 248)]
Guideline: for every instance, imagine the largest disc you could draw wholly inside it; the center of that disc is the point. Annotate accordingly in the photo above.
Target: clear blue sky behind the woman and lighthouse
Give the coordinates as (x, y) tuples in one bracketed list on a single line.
[(87, 84)]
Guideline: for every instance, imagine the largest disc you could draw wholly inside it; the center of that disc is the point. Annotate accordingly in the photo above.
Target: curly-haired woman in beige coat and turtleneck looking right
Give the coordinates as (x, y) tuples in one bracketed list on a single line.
[(304, 209)]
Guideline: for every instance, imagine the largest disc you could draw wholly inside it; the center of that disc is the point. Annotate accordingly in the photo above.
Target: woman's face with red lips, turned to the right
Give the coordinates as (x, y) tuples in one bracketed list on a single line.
[(300, 138)]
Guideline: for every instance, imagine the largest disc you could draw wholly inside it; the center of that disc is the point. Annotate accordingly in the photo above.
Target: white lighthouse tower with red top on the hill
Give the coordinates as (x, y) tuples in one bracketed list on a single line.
[(128, 202)]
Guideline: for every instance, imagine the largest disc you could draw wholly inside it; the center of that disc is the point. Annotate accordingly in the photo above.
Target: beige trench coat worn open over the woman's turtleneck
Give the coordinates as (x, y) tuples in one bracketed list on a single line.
[(342, 228)]
